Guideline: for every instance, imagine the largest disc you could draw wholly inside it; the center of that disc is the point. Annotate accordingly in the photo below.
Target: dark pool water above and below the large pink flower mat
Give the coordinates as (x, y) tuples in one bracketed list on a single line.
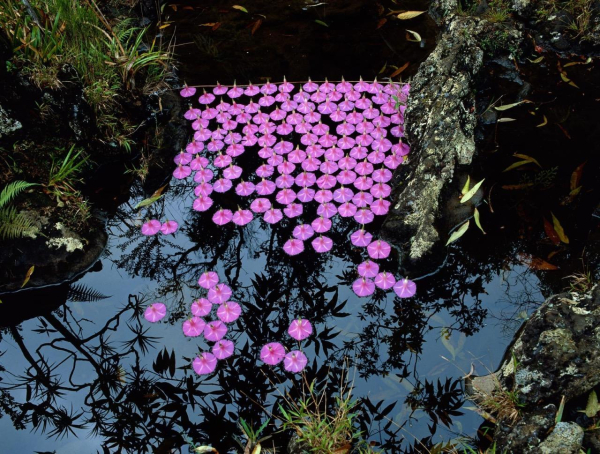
[(82, 371)]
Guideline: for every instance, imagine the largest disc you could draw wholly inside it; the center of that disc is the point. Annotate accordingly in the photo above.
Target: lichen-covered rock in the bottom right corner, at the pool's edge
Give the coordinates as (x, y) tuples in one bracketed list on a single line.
[(555, 354)]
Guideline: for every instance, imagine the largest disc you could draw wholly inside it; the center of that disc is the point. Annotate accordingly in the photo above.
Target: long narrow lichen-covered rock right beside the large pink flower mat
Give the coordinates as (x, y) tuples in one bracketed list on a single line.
[(440, 127)]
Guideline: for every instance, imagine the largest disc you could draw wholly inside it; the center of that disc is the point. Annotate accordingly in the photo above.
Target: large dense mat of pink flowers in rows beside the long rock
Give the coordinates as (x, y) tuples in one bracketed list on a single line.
[(361, 114)]
